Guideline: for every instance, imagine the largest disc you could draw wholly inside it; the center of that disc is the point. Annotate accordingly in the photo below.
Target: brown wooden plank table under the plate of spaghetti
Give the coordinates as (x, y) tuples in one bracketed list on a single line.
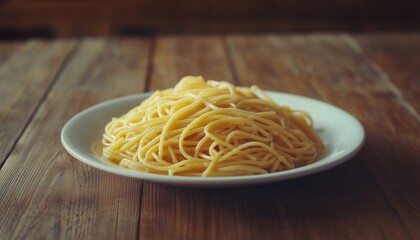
[(47, 194)]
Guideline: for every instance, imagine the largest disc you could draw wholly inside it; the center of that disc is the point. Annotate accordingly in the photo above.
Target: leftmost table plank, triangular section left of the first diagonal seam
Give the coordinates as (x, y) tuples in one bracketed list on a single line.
[(26, 72)]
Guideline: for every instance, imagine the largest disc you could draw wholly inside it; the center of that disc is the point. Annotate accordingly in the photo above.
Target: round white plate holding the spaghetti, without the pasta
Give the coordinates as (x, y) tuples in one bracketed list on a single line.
[(342, 134)]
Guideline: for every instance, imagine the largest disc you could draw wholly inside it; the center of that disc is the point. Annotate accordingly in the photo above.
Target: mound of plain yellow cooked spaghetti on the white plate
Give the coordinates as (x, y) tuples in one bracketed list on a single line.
[(210, 128)]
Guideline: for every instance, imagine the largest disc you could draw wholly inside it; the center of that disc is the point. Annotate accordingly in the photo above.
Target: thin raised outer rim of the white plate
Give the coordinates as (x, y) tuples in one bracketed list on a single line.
[(309, 169)]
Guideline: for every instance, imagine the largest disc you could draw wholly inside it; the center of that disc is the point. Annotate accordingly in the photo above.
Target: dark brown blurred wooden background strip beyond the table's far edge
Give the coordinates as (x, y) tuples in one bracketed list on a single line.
[(63, 18)]
